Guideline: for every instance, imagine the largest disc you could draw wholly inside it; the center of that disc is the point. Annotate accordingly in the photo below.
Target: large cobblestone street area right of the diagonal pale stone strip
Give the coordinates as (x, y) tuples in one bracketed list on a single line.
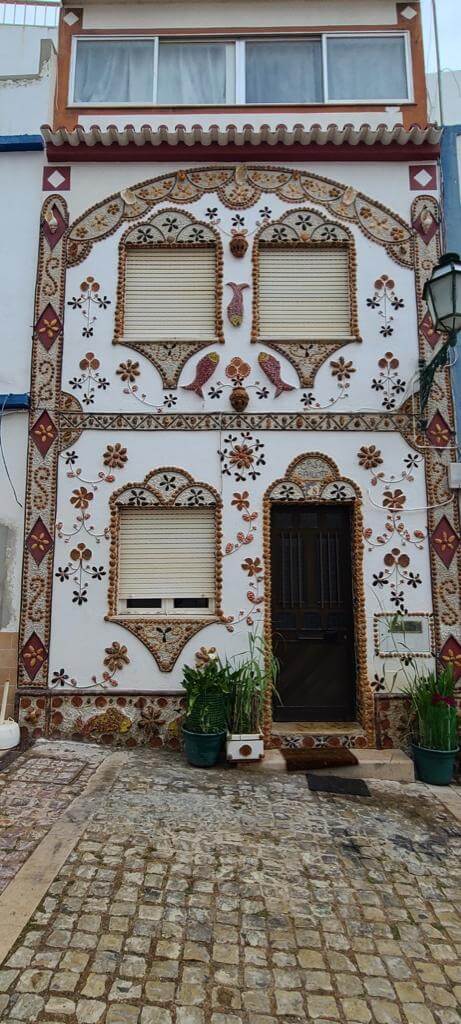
[(229, 898)]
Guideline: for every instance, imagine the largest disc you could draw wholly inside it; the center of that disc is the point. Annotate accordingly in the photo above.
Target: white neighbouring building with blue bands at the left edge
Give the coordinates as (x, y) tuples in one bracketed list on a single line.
[(28, 59)]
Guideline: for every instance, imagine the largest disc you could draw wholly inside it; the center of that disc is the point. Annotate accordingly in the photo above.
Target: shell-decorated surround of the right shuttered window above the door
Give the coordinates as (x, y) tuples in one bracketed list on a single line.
[(299, 230)]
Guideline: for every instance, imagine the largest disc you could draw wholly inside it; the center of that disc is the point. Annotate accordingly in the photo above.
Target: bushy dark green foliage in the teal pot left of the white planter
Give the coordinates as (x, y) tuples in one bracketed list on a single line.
[(208, 689)]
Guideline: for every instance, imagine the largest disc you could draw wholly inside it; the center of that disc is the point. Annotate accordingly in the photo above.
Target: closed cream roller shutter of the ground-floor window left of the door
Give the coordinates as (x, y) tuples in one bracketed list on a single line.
[(167, 553)]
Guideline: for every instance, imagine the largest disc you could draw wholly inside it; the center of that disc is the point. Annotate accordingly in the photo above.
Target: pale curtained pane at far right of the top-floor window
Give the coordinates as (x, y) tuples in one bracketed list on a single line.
[(367, 69)]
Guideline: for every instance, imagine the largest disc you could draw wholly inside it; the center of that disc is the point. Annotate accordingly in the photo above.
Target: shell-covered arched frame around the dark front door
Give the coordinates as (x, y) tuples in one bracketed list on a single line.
[(314, 479)]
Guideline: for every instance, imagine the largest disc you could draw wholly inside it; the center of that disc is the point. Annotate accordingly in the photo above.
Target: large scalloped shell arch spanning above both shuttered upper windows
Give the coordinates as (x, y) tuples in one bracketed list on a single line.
[(240, 187)]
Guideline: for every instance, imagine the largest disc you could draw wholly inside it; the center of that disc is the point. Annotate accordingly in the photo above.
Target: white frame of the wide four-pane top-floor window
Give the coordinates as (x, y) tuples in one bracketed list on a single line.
[(236, 69)]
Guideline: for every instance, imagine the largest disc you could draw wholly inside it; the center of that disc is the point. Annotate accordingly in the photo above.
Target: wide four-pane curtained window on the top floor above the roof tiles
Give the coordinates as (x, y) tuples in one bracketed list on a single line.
[(332, 68)]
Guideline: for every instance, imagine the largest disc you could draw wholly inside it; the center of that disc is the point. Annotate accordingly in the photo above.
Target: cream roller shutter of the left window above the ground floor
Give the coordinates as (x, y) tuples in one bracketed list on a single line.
[(171, 294)]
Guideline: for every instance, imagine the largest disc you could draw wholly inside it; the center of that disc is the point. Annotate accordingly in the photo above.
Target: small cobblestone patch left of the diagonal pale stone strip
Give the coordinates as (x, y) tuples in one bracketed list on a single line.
[(35, 790)]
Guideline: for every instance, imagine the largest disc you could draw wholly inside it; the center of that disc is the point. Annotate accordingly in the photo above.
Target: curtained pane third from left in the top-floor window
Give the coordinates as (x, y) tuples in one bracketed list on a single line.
[(284, 72)]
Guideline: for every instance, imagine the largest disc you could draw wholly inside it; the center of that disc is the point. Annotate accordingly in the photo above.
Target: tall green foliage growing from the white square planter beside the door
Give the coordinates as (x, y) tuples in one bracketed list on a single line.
[(257, 674)]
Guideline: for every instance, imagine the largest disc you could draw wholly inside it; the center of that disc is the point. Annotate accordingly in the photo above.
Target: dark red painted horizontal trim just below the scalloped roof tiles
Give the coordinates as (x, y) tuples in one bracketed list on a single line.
[(231, 154)]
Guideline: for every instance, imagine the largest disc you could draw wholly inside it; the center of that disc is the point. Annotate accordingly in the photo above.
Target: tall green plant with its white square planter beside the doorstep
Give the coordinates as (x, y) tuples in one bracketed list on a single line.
[(257, 674)]
